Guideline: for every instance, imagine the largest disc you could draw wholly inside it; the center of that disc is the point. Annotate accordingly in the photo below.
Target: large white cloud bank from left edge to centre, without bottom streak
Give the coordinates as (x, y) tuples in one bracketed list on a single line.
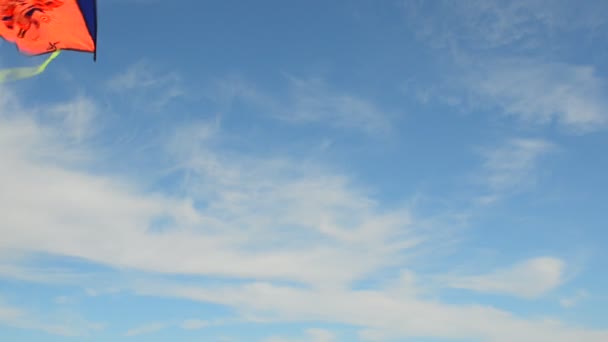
[(271, 219)]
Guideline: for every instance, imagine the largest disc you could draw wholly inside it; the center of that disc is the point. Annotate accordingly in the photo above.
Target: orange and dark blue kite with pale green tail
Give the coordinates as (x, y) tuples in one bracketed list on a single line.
[(39, 27)]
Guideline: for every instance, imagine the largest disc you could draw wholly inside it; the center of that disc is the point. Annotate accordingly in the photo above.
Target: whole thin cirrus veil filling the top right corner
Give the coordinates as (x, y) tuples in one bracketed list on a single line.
[(505, 58)]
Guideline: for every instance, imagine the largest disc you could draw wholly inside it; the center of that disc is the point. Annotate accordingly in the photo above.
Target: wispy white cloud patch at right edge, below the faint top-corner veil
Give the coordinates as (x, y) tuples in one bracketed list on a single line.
[(544, 93)]
